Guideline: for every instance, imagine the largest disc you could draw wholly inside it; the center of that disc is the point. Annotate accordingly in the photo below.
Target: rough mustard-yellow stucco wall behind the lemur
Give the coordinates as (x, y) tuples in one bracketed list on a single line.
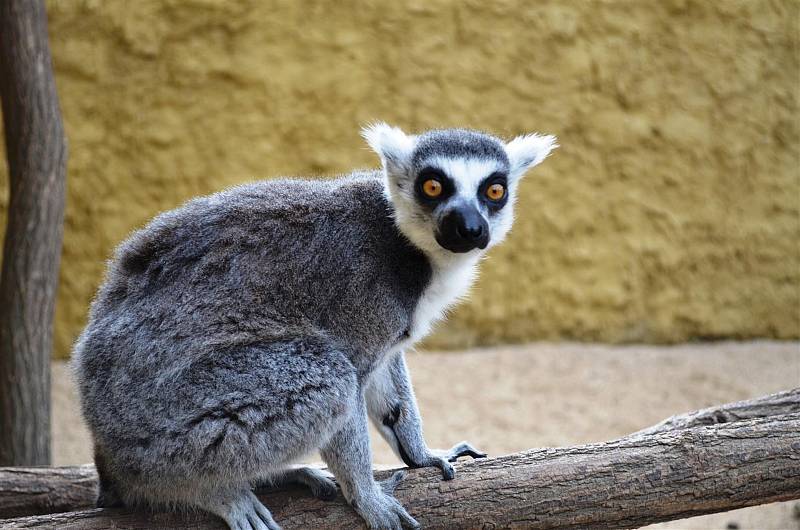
[(671, 212)]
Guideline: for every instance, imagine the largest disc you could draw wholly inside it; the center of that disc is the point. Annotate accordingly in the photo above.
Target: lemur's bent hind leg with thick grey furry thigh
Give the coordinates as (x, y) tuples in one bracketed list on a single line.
[(239, 415)]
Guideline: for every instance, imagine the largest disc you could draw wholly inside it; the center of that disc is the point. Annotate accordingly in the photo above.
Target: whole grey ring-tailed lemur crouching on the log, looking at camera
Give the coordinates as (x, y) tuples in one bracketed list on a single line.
[(246, 329)]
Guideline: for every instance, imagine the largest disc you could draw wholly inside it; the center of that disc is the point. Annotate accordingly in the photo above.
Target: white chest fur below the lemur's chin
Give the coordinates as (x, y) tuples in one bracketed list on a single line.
[(450, 280)]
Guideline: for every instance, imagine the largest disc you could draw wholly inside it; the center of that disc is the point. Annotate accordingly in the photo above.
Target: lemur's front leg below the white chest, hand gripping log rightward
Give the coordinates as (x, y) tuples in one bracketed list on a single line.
[(393, 408)]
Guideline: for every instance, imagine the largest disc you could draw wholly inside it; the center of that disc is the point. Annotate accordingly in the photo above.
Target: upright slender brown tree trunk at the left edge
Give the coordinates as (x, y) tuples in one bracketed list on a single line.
[(37, 156)]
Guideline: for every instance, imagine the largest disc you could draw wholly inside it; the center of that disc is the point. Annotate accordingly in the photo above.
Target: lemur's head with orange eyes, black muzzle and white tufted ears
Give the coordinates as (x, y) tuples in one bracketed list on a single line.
[(453, 190)]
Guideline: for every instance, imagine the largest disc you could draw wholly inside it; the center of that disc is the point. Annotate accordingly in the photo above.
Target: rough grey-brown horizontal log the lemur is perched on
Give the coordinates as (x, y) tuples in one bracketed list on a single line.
[(719, 459)]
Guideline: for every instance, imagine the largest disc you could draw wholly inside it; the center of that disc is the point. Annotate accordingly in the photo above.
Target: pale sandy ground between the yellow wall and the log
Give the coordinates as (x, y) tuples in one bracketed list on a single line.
[(512, 398)]
